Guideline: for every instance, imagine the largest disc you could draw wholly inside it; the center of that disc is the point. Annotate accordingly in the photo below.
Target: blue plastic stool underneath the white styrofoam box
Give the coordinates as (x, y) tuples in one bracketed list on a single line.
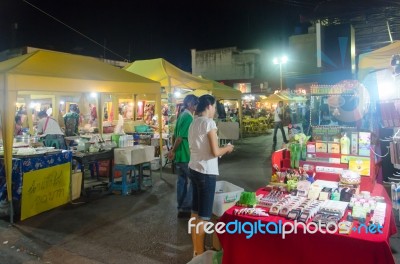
[(125, 186)]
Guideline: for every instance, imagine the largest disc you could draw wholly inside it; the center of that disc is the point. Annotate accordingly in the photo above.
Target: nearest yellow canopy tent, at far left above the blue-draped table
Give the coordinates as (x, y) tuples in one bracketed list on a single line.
[(48, 72)]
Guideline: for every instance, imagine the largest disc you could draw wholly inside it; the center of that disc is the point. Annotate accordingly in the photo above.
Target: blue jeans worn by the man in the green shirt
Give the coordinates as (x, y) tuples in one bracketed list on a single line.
[(184, 187)]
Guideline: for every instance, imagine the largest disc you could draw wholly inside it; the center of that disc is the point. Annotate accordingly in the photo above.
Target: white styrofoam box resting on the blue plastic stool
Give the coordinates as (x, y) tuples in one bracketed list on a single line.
[(133, 155)]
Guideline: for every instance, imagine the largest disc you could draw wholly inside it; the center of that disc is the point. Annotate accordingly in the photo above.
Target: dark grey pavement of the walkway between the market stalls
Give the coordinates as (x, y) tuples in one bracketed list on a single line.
[(139, 228)]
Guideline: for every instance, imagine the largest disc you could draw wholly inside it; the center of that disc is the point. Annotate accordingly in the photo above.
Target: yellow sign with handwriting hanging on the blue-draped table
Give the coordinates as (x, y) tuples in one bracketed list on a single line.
[(45, 189)]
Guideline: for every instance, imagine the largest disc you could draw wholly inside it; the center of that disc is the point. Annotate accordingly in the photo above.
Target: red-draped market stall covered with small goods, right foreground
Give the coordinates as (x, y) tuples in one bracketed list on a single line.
[(323, 191)]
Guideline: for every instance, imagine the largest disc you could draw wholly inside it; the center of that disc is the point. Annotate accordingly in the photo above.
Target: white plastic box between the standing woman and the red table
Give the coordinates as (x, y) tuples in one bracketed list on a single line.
[(226, 195)]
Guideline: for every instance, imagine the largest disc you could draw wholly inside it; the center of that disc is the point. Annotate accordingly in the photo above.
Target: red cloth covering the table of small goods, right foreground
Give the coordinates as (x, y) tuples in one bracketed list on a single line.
[(253, 242)]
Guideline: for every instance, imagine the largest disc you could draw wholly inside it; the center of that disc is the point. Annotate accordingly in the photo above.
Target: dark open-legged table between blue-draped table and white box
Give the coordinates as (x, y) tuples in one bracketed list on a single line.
[(87, 158)]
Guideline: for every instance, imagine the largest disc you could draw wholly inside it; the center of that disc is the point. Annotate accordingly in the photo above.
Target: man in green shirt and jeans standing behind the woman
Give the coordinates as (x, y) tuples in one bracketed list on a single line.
[(180, 152)]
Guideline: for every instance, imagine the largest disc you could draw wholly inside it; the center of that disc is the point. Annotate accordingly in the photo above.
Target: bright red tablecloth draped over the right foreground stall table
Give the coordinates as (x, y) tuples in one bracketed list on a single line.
[(308, 248)]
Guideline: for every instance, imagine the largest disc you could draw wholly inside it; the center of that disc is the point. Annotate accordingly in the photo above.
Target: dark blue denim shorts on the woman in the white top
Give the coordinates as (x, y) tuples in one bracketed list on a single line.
[(203, 194)]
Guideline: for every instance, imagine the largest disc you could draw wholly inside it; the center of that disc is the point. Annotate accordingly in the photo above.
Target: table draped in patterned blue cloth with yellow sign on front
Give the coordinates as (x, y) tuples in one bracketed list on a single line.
[(39, 182)]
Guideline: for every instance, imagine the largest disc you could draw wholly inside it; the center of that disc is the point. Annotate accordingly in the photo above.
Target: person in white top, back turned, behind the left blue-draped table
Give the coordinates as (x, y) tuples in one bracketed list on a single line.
[(50, 131)]
